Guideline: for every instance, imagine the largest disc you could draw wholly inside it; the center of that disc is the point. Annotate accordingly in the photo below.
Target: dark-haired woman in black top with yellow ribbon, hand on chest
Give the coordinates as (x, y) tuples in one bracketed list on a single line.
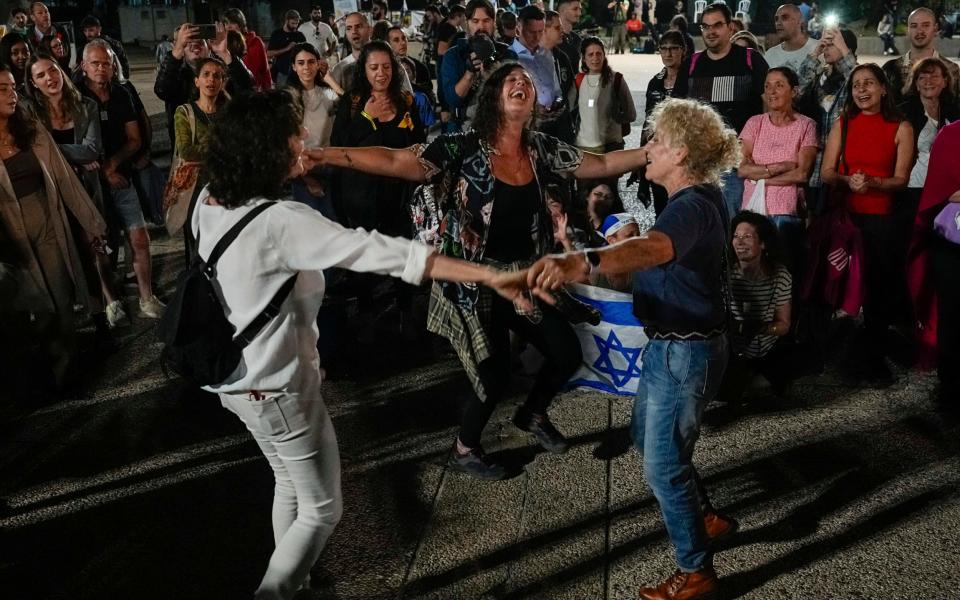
[(376, 112)]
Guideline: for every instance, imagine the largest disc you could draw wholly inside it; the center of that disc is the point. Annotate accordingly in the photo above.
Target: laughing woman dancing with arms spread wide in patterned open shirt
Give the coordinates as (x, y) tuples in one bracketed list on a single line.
[(485, 202)]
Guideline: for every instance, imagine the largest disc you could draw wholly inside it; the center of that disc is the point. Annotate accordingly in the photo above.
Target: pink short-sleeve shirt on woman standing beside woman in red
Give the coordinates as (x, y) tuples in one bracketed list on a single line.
[(771, 144)]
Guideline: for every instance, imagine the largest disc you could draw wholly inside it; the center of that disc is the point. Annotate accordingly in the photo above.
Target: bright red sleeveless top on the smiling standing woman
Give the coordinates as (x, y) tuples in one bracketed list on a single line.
[(872, 148)]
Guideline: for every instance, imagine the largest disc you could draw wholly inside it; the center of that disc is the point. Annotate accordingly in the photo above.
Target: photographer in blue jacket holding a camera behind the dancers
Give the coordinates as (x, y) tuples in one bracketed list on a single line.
[(466, 65)]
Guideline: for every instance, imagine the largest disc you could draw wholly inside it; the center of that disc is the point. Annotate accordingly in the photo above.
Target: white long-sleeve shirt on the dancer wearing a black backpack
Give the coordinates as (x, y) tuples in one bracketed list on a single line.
[(285, 239)]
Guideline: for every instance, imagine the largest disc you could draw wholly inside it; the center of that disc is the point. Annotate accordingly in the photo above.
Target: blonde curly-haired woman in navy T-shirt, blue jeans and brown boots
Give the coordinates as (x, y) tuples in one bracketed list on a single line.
[(677, 293)]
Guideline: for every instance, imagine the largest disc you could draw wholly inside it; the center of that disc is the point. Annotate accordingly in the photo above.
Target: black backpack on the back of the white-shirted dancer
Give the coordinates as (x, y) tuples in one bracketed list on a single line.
[(198, 340)]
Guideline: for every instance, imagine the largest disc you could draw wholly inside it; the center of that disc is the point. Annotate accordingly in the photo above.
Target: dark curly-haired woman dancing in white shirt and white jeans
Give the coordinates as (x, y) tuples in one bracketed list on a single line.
[(254, 146)]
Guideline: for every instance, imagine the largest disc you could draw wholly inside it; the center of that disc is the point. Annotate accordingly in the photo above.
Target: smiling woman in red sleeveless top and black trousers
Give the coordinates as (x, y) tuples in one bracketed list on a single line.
[(868, 158)]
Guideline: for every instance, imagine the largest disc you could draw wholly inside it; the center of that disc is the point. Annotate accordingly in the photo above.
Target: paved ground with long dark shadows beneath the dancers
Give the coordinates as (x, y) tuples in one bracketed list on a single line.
[(143, 489)]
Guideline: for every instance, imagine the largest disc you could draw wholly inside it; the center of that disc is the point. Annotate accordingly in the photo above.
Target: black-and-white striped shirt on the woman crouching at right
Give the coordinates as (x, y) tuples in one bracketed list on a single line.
[(757, 300)]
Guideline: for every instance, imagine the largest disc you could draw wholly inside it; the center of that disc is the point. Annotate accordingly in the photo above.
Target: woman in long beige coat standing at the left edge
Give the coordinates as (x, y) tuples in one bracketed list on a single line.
[(34, 205)]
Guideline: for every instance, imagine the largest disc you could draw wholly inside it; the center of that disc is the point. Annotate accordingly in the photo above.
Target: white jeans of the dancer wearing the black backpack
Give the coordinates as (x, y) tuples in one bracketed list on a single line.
[(296, 436)]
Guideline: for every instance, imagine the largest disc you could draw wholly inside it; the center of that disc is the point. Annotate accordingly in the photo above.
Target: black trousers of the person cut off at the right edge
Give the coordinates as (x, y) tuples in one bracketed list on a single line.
[(946, 270)]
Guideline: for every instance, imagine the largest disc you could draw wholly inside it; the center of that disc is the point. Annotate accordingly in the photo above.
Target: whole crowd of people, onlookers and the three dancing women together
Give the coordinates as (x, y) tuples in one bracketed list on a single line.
[(793, 186)]
